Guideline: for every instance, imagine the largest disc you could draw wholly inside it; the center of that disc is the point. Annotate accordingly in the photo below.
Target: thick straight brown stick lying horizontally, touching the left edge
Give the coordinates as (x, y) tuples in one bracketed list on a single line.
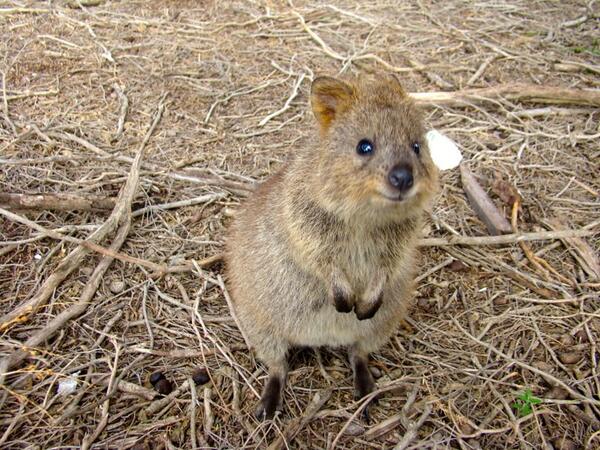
[(56, 202)]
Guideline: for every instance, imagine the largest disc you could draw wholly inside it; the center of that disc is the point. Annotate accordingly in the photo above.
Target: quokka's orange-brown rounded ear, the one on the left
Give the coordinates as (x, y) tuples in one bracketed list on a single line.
[(329, 98)]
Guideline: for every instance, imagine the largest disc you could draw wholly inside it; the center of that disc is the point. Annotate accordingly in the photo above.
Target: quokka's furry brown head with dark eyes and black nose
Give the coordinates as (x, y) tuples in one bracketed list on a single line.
[(374, 157)]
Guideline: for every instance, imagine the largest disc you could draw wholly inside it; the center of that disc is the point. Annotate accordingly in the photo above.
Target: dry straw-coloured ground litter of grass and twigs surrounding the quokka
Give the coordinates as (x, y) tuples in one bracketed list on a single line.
[(484, 331)]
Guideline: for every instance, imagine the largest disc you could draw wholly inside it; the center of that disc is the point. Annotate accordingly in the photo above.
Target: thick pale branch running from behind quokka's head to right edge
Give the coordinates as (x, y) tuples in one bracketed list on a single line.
[(517, 92)]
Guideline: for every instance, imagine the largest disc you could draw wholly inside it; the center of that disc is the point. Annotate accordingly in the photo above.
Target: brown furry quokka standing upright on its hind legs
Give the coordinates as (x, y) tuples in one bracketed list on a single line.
[(323, 253)]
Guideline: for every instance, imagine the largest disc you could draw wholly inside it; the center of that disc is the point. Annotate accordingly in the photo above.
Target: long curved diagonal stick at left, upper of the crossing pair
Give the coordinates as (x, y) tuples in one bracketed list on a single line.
[(74, 259)]
